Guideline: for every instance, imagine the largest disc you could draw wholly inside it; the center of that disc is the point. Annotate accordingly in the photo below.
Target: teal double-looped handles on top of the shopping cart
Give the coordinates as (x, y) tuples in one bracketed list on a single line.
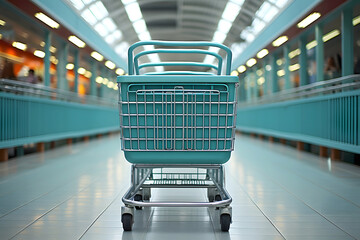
[(132, 60)]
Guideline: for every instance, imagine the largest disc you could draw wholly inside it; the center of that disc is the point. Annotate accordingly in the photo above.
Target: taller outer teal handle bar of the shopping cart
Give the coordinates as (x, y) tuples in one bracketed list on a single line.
[(177, 44)]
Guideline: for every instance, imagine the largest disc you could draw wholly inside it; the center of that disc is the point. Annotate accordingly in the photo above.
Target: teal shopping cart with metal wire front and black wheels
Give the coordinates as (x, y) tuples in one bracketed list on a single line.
[(177, 127)]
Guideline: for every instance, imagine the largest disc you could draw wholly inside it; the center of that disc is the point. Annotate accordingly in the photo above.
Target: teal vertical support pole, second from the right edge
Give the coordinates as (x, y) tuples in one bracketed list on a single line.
[(319, 53)]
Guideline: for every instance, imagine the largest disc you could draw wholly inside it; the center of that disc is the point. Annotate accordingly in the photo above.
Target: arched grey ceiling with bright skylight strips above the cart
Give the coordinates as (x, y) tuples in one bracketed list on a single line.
[(234, 23)]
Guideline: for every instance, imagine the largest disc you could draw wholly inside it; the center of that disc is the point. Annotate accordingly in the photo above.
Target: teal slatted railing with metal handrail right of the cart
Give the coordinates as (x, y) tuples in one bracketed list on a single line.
[(325, 114)]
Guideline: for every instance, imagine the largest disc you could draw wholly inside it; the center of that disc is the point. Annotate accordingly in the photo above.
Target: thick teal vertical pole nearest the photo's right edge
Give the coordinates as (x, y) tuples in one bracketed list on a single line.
[(347, 45)]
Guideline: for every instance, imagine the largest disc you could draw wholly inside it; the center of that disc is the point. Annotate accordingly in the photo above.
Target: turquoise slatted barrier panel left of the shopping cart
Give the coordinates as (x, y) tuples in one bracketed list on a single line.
[(25, 119)]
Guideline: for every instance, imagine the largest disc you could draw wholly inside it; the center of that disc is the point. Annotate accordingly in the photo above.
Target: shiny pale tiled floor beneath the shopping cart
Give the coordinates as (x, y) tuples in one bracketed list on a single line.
[(278, 193)]
